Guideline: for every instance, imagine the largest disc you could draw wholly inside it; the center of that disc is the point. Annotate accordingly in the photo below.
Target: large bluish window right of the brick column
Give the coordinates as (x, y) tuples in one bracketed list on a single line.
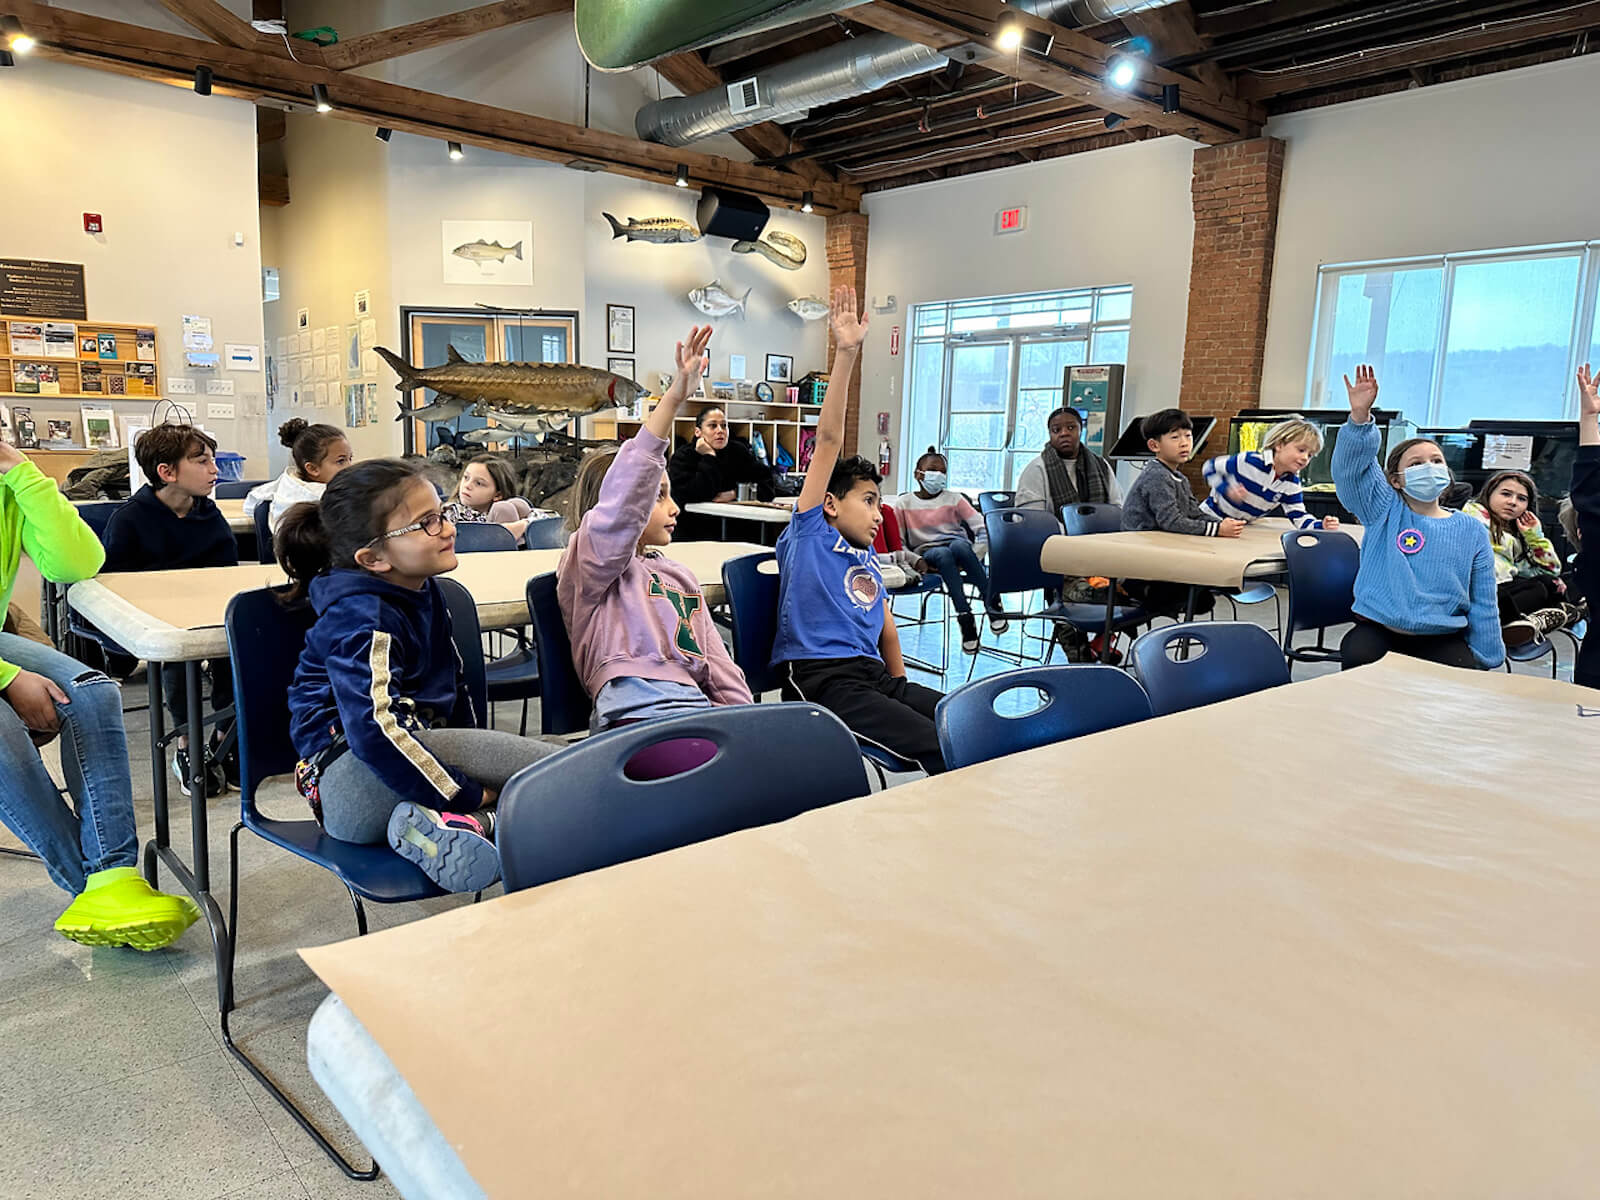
[(1462, 338)]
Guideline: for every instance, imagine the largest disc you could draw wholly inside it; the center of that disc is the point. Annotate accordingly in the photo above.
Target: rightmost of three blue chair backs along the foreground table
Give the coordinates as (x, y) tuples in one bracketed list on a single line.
[(1217, 662)]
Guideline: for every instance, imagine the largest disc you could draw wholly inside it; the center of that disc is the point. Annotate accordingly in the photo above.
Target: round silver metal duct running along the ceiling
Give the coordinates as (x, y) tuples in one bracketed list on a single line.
[(854, 68)]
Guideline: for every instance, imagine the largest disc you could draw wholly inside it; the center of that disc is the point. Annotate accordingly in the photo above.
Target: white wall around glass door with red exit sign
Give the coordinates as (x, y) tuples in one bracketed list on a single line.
[(1113, 217)]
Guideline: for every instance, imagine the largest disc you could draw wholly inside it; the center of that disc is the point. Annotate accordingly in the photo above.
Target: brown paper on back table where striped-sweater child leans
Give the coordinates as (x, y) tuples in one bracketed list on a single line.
[(1174, 558)]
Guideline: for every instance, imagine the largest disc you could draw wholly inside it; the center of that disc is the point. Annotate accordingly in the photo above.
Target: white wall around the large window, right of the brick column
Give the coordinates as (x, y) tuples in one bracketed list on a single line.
[(1503, 161)]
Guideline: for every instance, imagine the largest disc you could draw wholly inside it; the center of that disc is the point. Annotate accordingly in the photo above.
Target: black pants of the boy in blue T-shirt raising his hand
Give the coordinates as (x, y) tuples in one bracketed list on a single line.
[(878, 706)]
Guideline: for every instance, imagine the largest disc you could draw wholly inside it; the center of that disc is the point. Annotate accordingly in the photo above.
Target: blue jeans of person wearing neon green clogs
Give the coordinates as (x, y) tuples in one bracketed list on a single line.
[(95, 758)]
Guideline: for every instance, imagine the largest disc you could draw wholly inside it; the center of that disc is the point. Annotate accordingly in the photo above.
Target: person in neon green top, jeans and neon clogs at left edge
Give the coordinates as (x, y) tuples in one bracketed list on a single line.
[(92, 846)]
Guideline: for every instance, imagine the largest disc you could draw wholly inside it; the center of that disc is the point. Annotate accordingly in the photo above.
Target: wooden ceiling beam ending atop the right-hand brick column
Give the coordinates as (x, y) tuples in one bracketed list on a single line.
[(1076, 66)]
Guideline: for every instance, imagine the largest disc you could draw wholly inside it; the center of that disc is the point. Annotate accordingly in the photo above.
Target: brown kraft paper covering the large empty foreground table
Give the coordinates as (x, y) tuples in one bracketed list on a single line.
[(1332, 940)]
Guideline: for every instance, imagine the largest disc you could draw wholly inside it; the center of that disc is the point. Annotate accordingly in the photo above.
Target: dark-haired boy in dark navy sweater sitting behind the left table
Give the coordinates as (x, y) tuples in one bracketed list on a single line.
[(172, 524)]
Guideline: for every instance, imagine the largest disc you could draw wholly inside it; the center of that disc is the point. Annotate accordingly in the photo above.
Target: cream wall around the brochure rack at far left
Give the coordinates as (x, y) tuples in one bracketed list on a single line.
[(174, 196)]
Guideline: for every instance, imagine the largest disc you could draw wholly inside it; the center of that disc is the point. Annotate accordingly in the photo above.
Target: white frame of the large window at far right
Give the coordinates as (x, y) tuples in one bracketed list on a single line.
[(1582, 332)]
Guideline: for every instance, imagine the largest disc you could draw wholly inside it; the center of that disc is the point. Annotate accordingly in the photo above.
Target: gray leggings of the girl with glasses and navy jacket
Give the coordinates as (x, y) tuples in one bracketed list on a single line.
[(356, 804)]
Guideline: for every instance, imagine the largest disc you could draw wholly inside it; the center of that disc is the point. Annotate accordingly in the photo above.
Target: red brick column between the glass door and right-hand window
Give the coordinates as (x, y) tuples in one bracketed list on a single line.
[(1236, 199)]
